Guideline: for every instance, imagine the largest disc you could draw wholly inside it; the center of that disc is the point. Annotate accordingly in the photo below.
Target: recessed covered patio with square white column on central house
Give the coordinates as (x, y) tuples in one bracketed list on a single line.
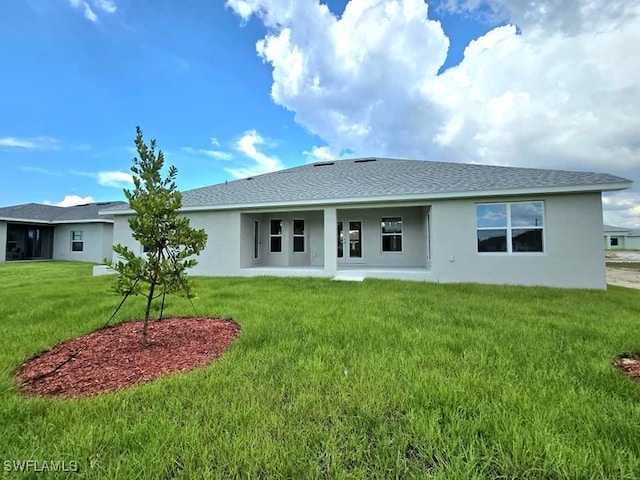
[(378, 241)]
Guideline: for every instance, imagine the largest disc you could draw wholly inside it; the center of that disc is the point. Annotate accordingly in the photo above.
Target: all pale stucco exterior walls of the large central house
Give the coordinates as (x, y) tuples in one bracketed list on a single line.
[(438, 237)]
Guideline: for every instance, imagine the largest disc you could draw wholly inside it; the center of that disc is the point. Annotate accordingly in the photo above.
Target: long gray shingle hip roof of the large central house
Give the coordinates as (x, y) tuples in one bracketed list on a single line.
[(369, 178)]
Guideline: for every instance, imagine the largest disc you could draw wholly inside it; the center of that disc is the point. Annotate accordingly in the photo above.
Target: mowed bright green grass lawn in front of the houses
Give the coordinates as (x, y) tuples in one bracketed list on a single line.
[(379, 379)]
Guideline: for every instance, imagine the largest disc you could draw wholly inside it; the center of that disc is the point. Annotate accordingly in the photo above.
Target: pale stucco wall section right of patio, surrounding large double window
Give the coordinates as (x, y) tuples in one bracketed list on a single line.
[(573, 253)]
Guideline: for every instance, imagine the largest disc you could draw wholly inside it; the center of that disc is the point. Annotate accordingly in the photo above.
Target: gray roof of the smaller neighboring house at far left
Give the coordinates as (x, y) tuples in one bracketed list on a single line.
[(37, 212)]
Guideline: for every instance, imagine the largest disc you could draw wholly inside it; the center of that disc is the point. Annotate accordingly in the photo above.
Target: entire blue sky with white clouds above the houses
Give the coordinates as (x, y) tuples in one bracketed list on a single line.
[(243, 87)]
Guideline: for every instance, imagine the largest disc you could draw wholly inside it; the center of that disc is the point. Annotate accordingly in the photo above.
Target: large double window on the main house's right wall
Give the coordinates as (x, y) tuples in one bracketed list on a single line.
[(514, 227)]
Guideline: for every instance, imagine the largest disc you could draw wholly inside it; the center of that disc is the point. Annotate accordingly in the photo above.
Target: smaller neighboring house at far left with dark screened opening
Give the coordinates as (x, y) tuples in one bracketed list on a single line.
[(46, 232)]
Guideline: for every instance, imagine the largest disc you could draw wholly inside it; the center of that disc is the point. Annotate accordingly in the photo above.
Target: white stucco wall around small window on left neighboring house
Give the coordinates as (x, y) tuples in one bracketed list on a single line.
[(96, 237)]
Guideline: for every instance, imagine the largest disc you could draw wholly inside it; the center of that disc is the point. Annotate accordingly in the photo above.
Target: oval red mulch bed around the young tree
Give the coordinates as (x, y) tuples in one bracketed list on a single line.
[(113, 358)]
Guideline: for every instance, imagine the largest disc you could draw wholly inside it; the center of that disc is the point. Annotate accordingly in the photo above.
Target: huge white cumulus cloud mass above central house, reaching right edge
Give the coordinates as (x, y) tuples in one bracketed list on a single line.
[(556, 88)]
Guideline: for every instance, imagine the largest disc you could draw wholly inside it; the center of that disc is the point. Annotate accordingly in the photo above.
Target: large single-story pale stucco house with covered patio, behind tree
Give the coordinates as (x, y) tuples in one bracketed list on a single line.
[(403, 219)]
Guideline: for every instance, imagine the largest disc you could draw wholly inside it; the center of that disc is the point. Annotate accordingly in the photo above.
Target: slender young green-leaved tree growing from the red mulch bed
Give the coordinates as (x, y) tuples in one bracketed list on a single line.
[(168, 240)]
